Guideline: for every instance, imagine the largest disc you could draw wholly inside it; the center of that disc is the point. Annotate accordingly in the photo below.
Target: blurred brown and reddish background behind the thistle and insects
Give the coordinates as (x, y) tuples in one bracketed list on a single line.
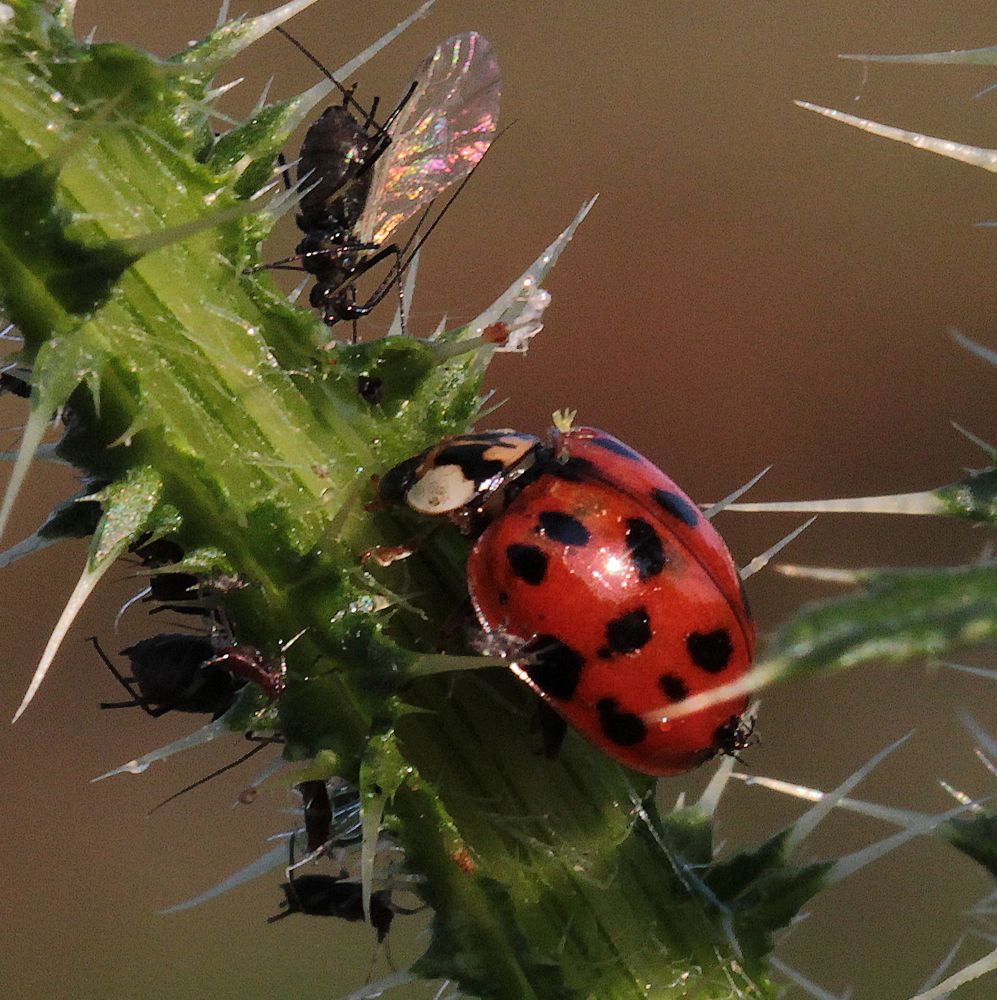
[(755, 285)]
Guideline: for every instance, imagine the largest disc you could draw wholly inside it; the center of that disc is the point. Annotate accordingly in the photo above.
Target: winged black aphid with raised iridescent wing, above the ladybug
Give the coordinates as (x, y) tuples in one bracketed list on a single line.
[(363, 180)]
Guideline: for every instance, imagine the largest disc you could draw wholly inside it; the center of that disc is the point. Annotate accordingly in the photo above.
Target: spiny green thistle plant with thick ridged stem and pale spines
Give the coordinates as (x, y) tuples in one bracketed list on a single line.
[(206, 411)]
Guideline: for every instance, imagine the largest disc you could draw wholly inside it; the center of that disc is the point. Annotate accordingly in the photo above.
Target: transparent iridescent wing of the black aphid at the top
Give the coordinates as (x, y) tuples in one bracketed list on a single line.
[(439, 136)]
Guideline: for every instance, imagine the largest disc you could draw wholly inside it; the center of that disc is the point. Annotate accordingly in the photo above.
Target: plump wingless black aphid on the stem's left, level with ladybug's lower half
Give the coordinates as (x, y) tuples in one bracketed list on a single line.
[(180, 672)]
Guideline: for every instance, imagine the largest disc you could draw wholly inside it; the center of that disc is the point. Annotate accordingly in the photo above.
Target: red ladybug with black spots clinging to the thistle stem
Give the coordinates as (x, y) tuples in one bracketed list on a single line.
[(612, 594)]
